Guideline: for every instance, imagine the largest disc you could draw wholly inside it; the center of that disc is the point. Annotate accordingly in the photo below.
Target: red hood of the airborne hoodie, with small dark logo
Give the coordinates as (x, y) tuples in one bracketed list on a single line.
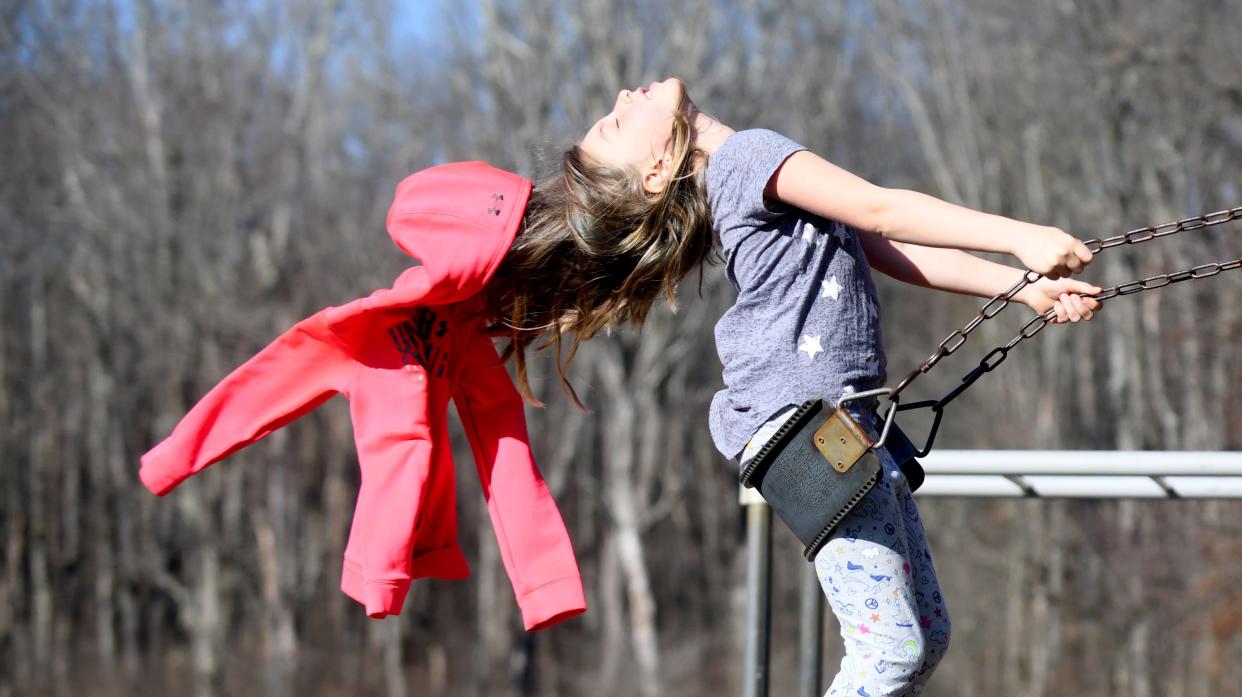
[(459, 221)]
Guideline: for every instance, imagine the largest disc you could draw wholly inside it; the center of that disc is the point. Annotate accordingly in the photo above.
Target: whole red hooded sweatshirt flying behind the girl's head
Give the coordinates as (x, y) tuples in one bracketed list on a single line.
[(399, 356)]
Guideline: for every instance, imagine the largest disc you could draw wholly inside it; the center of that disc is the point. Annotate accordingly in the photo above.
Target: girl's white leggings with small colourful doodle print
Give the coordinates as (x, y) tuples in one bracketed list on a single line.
[(877, 573)]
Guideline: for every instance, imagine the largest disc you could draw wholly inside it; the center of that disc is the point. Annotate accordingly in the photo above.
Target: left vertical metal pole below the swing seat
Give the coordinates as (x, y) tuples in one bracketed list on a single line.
[(759, 555)]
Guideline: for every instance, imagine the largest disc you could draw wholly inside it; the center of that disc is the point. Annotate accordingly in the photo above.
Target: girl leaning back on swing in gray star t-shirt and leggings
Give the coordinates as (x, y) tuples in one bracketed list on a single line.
[(800, 237)]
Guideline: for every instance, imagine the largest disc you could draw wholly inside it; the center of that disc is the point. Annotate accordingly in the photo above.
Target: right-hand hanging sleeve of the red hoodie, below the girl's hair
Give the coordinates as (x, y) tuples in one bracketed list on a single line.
[(535, 544)]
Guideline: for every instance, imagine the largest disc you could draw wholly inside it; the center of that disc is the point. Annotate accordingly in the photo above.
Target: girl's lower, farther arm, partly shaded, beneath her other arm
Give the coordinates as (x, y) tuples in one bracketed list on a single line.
[(961, 273)]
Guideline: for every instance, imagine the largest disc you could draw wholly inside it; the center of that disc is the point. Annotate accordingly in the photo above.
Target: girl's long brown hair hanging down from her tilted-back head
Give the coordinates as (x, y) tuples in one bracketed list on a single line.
[(597, 249)]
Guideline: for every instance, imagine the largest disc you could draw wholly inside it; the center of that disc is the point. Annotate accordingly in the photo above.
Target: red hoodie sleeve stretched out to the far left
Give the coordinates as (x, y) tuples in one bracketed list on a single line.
[(292, 376)]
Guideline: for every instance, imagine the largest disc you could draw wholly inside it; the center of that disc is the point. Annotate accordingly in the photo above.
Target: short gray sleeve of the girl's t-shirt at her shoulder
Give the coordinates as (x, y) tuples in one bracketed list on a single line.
[(738, 173)]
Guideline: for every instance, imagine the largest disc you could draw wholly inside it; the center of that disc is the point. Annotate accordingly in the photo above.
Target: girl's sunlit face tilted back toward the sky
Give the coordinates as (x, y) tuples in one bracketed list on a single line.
[(639, 131)]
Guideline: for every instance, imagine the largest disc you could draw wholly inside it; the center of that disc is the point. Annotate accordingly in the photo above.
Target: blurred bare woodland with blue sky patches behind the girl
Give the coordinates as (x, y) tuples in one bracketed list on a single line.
[(183, 181)]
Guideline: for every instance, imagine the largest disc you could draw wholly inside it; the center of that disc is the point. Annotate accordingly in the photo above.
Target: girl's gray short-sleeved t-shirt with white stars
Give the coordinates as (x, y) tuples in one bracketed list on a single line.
[(807, 321)]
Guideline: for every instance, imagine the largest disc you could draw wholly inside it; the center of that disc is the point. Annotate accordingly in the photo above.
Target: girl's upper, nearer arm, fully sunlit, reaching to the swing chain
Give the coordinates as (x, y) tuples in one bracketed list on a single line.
[(812, 183)]
